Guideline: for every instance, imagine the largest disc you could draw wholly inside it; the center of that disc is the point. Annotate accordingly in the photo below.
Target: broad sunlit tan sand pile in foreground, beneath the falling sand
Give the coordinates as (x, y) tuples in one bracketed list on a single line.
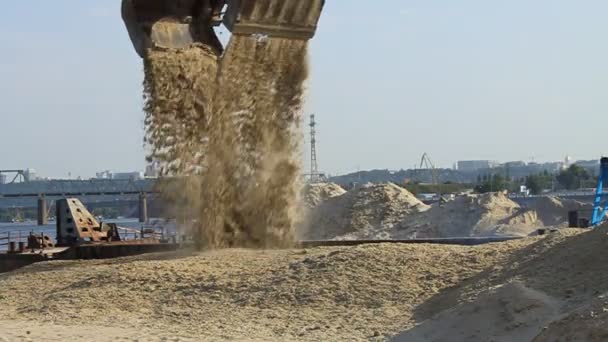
[(329, 294)]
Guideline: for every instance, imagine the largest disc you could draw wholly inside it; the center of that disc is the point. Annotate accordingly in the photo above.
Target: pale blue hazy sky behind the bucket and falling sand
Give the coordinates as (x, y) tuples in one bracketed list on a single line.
[(469, 79)]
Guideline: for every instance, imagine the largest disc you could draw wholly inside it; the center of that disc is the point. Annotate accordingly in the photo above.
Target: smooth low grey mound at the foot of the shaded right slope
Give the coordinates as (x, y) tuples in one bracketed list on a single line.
[(511, 312)]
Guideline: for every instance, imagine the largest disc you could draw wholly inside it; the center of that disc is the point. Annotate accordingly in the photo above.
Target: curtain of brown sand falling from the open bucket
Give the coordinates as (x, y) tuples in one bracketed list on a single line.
[(231, 128)]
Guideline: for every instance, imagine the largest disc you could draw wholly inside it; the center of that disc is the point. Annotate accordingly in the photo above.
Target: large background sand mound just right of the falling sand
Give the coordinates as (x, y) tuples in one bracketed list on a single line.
[(361, 213)]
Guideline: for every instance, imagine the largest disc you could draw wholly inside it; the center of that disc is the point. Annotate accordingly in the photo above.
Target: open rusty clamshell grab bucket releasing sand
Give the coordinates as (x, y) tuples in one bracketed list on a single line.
[(181, 23)]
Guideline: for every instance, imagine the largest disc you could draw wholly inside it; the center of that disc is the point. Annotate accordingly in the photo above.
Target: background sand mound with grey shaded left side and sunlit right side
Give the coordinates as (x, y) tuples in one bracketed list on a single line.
[(491, 214)]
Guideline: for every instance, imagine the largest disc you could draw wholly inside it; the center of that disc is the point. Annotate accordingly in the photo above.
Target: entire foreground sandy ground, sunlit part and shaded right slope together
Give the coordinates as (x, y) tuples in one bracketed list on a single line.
[(550, 288)]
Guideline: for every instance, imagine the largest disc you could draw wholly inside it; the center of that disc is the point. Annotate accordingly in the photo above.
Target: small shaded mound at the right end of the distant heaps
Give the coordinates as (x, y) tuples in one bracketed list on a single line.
[(553, 211)]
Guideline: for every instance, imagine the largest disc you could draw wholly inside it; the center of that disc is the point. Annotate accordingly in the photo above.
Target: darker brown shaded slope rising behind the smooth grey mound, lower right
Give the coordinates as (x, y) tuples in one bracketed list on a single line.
[(570, 266)]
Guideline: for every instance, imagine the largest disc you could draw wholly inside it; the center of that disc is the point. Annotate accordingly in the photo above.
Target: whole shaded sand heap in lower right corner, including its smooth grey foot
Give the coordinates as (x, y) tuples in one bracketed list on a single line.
[(561, 294)]
